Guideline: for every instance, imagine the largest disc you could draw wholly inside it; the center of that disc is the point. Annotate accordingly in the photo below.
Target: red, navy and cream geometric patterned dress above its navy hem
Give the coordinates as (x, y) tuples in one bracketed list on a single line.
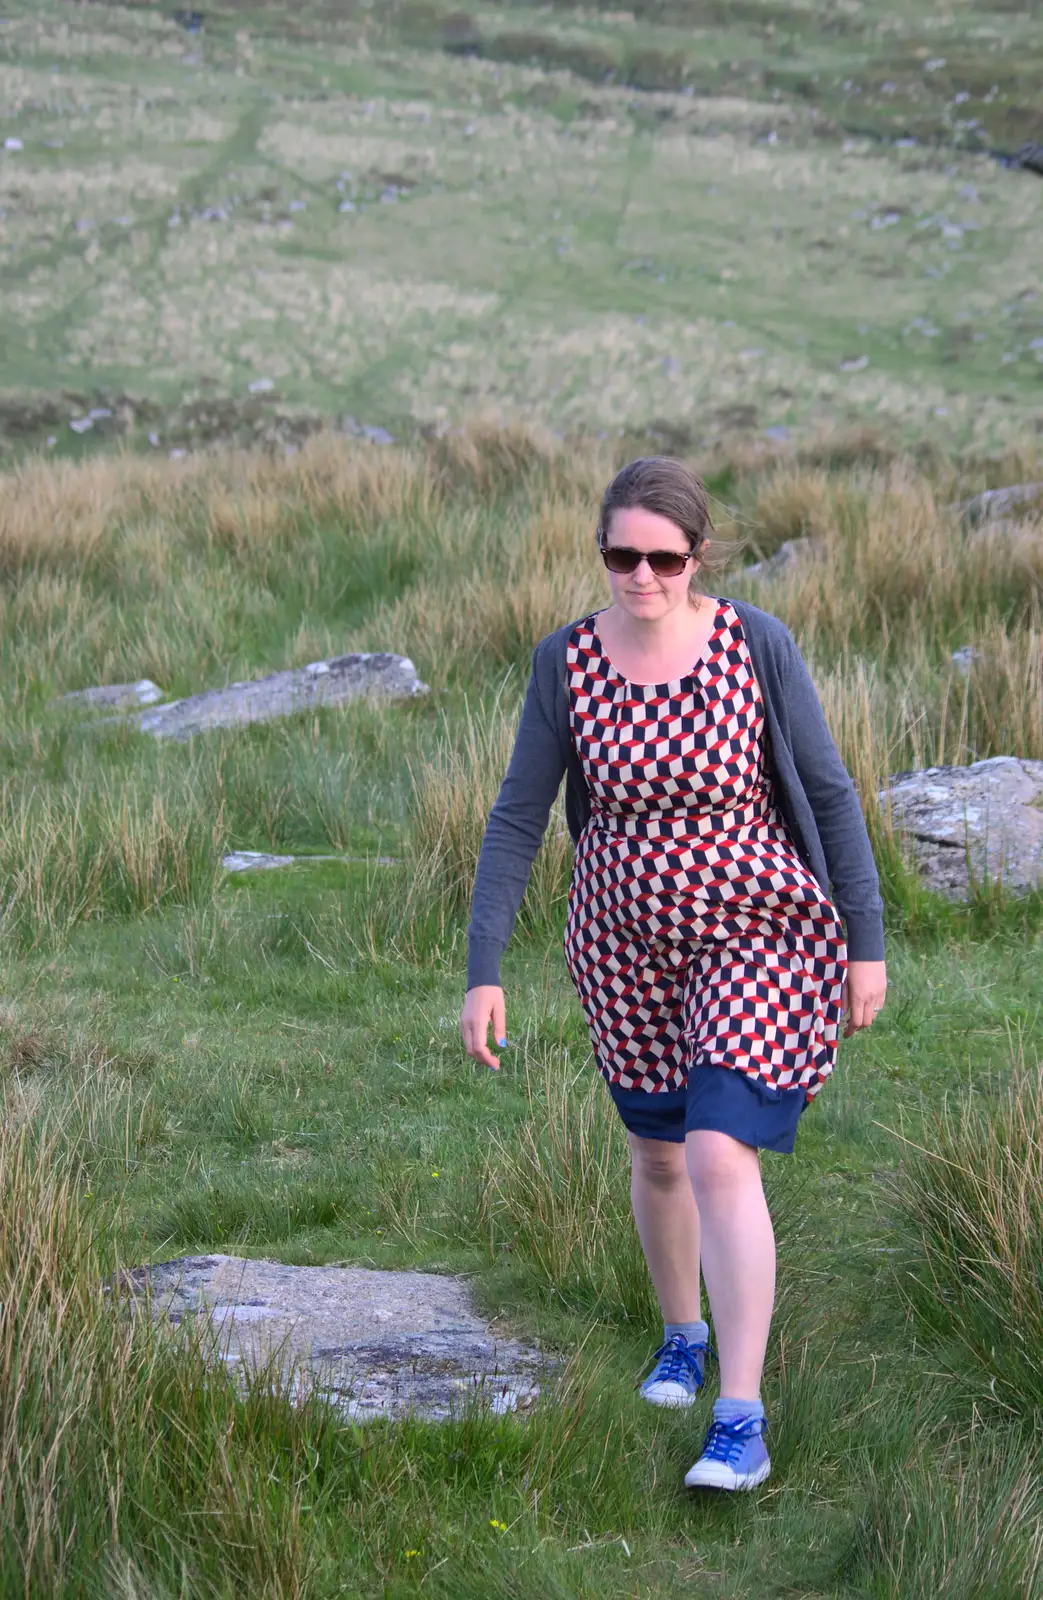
[(695, 934)]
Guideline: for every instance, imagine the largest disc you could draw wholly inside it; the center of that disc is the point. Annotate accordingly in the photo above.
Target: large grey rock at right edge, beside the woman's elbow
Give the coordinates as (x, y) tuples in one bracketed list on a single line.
[(981, 822)]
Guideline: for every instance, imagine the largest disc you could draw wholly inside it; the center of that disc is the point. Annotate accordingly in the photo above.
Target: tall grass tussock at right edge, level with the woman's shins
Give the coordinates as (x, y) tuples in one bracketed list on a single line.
[(972, 1198)]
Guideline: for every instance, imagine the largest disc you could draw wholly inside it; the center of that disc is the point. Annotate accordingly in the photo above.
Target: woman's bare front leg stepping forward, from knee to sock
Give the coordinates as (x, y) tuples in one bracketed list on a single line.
[(738, 1255)]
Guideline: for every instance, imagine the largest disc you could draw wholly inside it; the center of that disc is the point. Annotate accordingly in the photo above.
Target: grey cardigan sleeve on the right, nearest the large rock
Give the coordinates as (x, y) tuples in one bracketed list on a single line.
[(837, 814)]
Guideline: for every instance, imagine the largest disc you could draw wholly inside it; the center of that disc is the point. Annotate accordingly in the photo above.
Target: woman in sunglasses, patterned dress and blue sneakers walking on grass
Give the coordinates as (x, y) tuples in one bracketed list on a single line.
[(719, 846)]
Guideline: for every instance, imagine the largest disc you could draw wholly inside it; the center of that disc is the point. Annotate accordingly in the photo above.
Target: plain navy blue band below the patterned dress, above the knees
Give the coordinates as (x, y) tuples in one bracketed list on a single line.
[(717, 1098)]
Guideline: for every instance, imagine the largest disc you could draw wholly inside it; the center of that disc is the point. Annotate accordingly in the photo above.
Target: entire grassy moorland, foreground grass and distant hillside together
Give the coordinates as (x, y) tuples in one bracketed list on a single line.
[(497, 234)]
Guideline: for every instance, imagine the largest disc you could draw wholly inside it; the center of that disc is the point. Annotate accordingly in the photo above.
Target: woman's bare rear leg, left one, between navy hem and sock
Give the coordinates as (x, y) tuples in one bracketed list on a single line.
[(668, 1225)]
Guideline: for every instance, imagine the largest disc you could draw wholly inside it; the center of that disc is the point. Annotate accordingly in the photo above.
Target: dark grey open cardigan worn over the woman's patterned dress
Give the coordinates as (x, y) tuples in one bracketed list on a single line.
[(812, 790)]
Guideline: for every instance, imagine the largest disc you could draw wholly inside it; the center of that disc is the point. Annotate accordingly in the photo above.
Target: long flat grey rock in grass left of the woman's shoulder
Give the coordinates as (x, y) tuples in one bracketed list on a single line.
[(284, 694)]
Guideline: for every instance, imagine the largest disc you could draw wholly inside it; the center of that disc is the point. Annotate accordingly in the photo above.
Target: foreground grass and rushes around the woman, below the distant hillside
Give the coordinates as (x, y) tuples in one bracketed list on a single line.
[(271, 1065)]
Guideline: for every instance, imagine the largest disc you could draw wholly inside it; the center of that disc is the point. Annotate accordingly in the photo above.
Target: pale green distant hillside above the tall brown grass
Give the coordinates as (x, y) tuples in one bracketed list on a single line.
[(551, 246)]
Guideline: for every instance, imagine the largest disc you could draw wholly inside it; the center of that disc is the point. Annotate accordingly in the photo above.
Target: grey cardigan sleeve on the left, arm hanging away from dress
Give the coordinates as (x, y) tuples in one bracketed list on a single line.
[(513, 836)]
